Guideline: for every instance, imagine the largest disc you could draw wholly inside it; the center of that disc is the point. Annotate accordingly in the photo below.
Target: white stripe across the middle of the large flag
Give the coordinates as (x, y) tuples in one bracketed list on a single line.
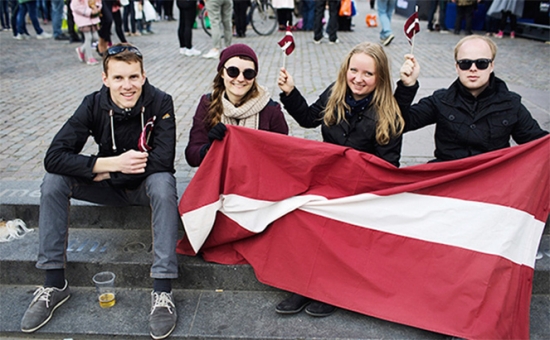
[(482, 227)]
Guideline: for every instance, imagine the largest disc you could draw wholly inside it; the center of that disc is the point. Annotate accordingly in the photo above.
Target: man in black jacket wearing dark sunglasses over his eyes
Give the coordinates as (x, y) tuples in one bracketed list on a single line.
[(477, 113)]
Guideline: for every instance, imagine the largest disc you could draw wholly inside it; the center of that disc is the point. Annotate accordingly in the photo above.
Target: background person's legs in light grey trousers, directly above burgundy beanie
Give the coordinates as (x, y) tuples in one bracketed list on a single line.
[(220, 12)]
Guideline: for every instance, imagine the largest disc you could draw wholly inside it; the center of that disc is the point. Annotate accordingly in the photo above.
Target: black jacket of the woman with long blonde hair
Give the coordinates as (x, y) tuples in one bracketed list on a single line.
[(358, 132)]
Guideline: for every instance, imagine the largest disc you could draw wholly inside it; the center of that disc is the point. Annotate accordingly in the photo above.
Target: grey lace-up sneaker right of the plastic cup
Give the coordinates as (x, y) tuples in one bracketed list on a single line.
[(163, 317)]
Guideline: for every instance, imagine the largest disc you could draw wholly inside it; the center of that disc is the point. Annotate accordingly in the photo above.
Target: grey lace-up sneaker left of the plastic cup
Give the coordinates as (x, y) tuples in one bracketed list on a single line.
[(45, 302)]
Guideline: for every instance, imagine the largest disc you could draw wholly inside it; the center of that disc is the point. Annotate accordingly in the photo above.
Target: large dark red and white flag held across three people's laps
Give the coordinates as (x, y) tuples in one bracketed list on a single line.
[(448, 247)]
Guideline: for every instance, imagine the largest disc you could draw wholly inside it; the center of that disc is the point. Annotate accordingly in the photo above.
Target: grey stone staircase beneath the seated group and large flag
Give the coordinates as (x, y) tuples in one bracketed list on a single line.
[(213, 301)]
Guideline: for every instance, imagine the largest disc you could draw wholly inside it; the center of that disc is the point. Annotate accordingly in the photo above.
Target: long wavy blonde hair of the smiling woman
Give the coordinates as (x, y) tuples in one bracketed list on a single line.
[(389, 123)]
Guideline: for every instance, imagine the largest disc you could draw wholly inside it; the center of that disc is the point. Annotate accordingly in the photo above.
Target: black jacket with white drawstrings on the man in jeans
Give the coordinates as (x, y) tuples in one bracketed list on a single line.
[(92, 119)]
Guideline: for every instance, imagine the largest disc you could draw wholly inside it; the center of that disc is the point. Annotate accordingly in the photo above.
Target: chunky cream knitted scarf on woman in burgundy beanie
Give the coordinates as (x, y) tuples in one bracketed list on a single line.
[(247, 114)]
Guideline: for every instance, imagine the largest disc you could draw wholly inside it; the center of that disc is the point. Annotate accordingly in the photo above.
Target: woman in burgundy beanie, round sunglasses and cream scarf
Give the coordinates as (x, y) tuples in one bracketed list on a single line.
[(236, 99)]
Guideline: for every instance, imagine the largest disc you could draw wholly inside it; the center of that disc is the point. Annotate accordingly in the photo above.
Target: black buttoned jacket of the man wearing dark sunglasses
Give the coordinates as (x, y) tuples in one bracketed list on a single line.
[(466, 125)]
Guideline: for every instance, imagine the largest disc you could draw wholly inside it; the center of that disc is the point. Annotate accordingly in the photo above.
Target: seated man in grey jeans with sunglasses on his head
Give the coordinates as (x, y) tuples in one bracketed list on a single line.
[(134, 126)]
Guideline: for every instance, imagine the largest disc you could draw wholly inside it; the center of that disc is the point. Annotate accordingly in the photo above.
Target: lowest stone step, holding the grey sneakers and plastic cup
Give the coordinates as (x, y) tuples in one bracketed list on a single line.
[(208, 314)]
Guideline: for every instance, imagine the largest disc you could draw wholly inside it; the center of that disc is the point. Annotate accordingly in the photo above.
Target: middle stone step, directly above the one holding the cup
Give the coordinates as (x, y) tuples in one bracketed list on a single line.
[(127, 253)]
